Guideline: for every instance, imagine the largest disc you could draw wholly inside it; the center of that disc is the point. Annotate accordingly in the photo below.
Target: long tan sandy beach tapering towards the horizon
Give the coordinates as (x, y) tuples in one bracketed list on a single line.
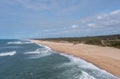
[(106, 58)]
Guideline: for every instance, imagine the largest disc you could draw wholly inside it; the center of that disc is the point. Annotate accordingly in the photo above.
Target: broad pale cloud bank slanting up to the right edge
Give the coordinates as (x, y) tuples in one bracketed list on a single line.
[(97, 23)]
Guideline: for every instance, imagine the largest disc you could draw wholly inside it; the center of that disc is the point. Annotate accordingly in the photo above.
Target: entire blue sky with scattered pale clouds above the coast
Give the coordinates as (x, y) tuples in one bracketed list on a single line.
[(22, 19)]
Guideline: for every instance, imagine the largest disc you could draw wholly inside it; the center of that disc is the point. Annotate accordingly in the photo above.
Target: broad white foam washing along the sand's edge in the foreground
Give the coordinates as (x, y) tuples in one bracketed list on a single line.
[(87, 66)]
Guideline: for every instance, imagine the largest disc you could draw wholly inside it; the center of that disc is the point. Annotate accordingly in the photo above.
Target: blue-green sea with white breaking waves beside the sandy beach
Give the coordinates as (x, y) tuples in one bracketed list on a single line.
[(22, 59)]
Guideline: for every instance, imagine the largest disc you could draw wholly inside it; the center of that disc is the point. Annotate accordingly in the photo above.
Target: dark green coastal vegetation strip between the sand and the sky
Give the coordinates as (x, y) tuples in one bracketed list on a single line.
[(107, 40)]
